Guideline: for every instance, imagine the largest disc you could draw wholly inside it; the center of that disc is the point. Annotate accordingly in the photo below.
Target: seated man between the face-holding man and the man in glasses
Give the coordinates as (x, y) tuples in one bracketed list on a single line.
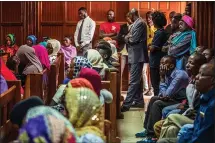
[(192, 68)]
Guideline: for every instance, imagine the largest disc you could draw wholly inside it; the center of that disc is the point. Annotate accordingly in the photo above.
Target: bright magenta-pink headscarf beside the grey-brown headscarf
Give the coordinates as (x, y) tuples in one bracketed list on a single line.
[(42, 55)]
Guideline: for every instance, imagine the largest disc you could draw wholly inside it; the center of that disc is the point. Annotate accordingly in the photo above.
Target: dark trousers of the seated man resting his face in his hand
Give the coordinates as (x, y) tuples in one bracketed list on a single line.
[(154, 113)]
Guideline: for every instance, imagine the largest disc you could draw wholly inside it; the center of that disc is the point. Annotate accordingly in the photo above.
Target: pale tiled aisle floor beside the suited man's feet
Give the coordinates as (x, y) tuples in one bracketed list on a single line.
[(132, 123)]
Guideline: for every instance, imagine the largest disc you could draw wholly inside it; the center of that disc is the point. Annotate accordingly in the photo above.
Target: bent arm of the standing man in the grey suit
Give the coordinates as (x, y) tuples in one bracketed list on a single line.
[(137, 33)]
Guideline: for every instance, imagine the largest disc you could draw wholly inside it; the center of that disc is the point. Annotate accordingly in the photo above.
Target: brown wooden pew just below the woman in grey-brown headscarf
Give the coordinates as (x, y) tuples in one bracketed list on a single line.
[(36, 84)]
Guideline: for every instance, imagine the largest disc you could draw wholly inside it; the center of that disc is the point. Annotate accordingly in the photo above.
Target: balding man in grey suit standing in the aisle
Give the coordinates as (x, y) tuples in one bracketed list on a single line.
[(137, 56)]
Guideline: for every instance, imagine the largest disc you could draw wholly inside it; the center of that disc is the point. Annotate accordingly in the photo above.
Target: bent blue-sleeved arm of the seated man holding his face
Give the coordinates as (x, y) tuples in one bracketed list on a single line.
[(175, 85)]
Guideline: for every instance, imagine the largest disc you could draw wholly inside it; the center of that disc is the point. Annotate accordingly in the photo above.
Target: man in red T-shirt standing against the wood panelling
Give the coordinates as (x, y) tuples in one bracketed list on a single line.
[(110, 29)]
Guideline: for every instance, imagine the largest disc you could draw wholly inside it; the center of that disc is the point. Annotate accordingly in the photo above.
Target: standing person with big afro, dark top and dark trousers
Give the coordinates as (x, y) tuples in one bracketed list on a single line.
[(156, 54)]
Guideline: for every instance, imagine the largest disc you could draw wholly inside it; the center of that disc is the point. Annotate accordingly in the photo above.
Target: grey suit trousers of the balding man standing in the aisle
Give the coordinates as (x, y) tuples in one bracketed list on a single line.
[(135, 89)]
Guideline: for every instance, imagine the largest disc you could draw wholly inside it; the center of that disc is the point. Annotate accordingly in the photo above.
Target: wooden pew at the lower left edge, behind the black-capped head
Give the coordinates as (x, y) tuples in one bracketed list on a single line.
[(7, 100)]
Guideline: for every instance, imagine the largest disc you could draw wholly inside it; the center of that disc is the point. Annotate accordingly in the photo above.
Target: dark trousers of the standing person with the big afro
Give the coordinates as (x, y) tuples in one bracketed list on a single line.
[(155, 79)]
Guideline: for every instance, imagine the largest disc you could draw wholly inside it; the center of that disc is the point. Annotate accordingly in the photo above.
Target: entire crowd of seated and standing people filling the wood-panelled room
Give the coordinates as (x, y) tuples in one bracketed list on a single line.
[(182, 79)]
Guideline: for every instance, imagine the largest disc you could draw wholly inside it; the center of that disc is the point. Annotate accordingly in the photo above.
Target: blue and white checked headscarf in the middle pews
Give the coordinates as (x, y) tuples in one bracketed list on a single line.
[(80, 62)]
